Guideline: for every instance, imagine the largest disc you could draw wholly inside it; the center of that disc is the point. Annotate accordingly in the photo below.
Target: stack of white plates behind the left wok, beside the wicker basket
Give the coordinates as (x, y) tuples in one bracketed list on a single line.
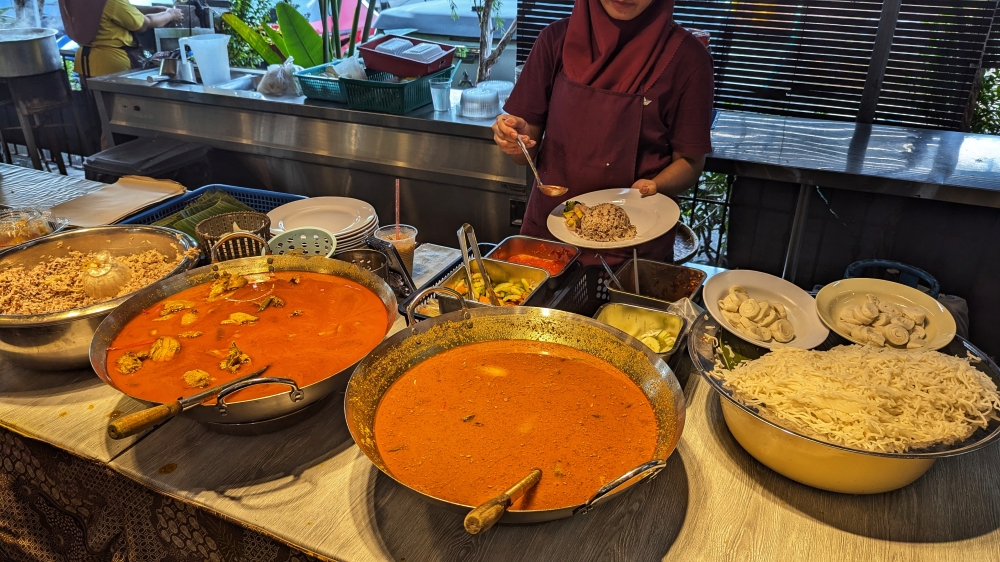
[(350, 220)]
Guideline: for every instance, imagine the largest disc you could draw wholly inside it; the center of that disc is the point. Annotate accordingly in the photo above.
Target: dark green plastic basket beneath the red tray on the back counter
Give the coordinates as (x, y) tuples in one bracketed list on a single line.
[(376, 94)]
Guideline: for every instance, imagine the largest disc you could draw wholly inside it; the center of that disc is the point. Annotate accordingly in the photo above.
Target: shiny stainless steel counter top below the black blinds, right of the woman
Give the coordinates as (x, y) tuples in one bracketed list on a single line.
[(904, 161)]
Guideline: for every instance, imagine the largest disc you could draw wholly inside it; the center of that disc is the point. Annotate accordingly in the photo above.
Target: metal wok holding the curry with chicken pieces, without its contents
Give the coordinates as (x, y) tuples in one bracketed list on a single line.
[(258, 409)]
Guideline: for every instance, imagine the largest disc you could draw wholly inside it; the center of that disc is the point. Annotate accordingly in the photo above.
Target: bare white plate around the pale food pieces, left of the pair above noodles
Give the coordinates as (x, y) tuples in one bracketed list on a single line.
[(801, 308)]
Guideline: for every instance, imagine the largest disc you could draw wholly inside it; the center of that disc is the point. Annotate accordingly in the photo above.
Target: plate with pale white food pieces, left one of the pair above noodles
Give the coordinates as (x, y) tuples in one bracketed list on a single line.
[(764, 310)]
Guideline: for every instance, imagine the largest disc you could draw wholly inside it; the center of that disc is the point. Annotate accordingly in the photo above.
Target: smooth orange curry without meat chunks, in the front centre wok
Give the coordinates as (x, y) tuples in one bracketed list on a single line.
[(468, 423)]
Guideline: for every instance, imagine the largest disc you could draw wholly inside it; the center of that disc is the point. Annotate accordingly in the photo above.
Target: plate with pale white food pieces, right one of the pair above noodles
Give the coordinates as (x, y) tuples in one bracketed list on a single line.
[(882, 313)]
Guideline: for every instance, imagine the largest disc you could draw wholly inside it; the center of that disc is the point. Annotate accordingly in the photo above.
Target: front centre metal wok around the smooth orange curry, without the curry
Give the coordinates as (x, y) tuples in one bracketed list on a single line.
[(397, 354)]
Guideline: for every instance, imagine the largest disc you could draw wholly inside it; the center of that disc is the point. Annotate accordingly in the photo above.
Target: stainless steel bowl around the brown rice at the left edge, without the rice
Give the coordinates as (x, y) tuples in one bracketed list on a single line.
[(61, 340)]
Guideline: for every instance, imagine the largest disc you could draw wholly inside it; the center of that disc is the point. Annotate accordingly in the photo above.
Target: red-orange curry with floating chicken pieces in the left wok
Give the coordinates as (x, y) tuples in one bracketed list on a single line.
[(305, 326)]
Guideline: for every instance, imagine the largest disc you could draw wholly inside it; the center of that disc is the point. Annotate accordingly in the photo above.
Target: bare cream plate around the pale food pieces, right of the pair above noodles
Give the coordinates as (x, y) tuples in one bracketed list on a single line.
[(832, 299)]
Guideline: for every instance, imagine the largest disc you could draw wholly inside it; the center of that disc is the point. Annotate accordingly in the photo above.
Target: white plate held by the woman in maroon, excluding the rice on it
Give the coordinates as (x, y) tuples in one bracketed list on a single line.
[(652, 217)]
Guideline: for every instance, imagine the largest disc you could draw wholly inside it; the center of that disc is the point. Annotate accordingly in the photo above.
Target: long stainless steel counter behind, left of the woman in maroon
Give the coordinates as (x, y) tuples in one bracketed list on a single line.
[(309, 147)]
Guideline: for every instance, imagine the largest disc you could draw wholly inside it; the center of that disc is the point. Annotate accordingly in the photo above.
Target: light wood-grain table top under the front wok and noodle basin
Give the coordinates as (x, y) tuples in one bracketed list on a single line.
[(310, 486)]
